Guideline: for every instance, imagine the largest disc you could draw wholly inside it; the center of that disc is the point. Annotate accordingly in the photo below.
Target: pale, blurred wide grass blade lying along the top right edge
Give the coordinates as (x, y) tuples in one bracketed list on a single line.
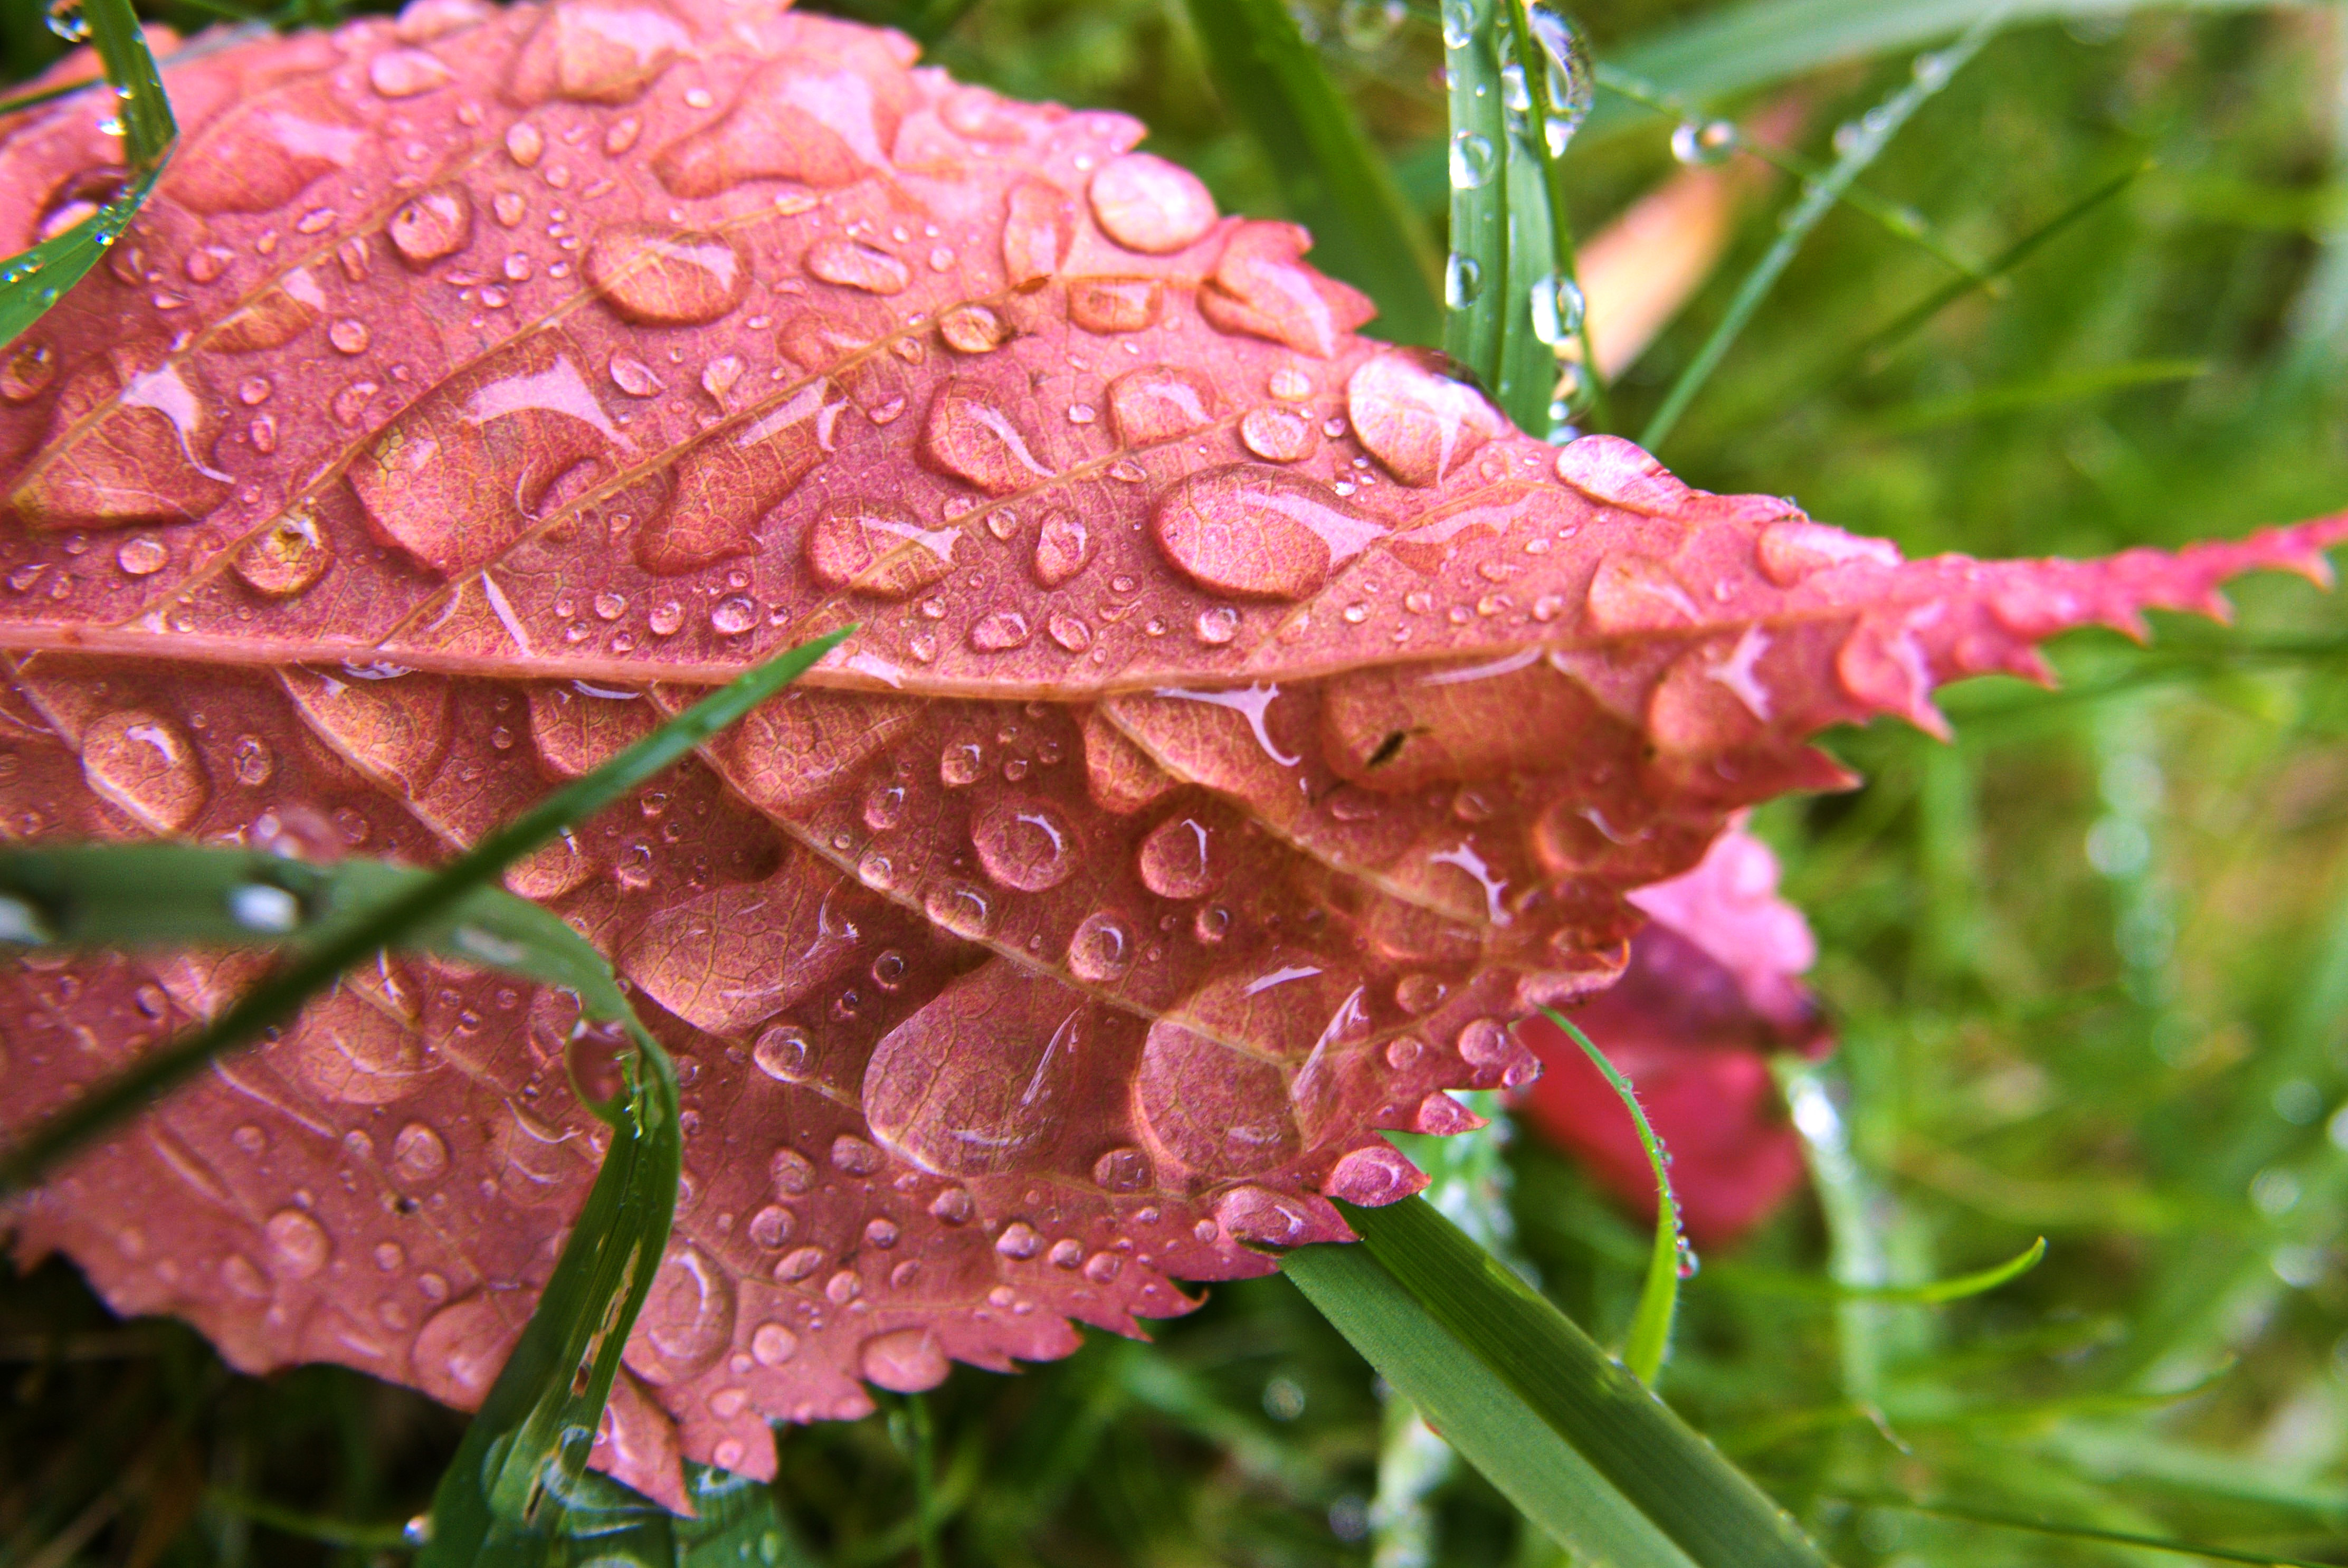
[(1772, 41)]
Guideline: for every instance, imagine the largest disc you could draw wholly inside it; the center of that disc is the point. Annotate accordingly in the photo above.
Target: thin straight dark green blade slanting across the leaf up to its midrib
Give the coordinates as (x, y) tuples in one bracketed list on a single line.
[(50, 907)]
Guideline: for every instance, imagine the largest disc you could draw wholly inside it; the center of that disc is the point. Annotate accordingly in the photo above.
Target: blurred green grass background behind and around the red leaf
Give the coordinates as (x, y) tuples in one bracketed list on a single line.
[(2089, 964)]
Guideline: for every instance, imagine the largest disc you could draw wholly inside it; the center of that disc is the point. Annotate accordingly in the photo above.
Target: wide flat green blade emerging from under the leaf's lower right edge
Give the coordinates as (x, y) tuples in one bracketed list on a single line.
[(1495, 1365)]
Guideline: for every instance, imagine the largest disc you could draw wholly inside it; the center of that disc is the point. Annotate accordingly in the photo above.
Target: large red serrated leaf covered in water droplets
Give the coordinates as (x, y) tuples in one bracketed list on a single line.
[(1246, 719)]
